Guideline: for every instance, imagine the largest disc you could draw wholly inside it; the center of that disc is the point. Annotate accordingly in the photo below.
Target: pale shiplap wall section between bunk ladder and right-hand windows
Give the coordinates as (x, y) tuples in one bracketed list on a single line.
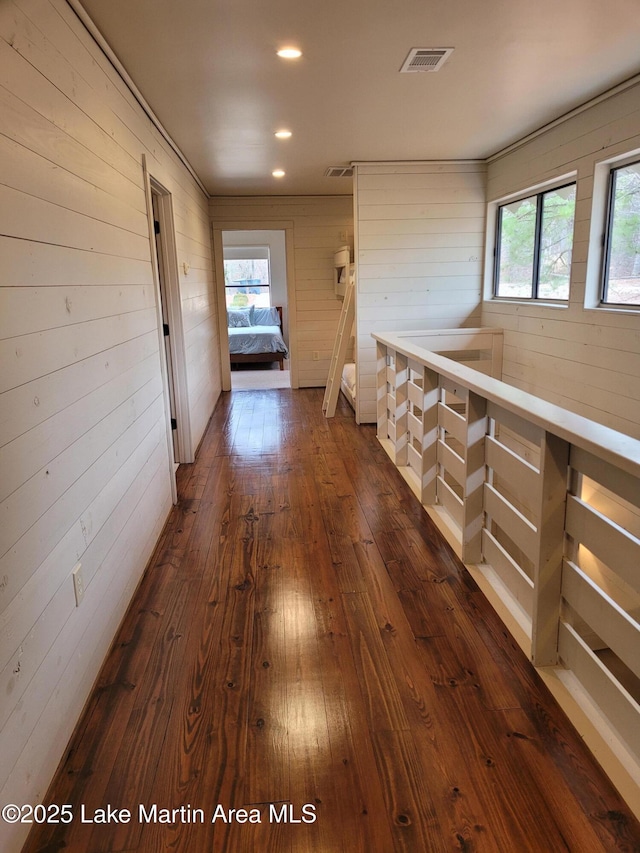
[(419, 243)]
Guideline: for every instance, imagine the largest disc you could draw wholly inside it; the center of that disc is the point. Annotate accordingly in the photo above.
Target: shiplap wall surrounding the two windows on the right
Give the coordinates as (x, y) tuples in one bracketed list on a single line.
[(585, 359)]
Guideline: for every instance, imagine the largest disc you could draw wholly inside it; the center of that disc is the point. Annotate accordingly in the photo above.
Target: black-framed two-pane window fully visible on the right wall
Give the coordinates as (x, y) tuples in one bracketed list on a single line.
[(534, 243)]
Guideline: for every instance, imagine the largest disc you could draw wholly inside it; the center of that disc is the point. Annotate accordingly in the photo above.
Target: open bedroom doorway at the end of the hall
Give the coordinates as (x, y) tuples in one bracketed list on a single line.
[(255, 283)]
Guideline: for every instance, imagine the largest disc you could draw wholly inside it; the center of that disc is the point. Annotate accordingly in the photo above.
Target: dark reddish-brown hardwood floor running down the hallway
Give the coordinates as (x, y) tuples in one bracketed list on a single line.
[(303, 645)]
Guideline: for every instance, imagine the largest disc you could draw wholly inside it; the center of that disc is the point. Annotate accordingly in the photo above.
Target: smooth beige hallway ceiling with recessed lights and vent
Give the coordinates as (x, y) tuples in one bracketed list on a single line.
[(209, 70)]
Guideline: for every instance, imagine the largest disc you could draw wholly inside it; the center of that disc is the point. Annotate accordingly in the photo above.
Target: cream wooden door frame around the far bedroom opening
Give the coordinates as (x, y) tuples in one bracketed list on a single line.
[(217, 227)]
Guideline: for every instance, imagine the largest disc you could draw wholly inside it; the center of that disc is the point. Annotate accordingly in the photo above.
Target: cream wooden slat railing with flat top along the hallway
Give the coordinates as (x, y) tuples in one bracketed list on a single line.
[(547, 499)]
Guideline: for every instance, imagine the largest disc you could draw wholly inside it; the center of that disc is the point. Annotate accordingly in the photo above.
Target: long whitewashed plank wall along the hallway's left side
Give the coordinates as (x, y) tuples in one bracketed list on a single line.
[(84, 473)]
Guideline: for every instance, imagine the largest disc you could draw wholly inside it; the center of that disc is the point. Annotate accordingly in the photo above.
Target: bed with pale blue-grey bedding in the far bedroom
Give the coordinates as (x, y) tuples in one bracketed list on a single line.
[(255, 335)]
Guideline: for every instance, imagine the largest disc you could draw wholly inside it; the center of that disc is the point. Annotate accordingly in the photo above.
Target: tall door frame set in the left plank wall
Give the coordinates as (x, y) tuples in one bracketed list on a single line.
[(173, 307)]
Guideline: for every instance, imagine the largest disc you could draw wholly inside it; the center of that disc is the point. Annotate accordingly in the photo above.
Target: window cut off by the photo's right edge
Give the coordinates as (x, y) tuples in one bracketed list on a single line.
[(622, 238)]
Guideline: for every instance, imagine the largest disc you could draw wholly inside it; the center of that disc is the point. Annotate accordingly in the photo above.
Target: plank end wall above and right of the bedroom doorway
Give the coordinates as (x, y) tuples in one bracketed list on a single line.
[(321, 224)]
